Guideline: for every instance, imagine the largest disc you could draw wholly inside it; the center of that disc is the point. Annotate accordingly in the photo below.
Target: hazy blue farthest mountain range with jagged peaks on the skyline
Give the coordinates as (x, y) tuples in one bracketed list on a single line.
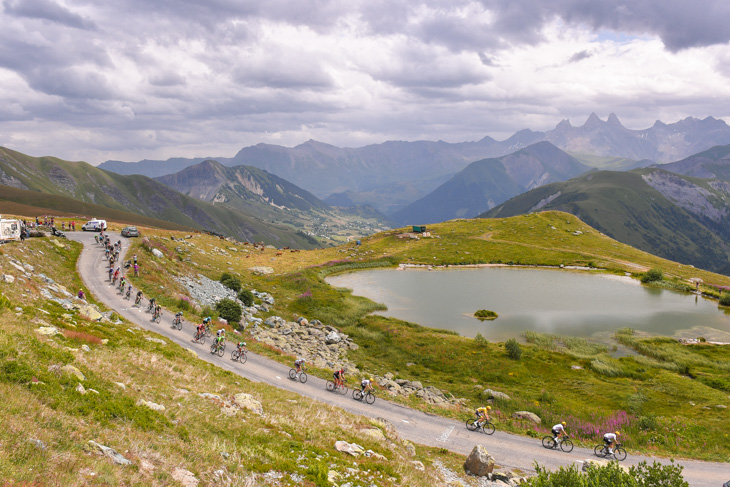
[(383, 174)]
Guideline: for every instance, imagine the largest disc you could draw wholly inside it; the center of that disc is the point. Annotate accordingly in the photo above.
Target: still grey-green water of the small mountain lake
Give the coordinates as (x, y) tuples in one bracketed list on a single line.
[(575, 303)]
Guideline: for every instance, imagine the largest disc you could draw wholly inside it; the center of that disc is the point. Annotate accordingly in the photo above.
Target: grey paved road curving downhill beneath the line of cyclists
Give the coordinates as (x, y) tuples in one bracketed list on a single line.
[(510, 450)]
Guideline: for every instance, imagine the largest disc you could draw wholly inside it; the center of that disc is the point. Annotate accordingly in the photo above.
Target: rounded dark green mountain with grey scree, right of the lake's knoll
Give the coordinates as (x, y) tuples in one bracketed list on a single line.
[(626, 207)]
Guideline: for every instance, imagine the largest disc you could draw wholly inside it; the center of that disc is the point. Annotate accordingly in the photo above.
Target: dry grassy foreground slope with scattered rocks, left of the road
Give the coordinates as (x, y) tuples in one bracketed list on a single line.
[(47, 422)]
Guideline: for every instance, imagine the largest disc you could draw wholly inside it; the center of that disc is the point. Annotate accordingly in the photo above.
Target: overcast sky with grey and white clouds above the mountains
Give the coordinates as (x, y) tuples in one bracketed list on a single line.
[(133, 79)]
